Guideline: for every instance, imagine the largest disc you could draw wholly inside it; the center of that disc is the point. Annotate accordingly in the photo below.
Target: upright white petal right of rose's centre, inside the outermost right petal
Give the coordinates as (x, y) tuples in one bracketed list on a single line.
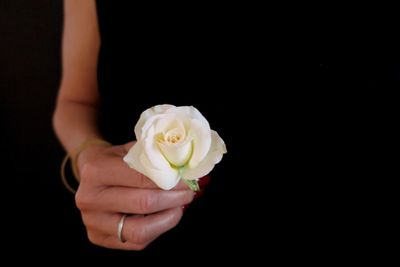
[(201, 134)]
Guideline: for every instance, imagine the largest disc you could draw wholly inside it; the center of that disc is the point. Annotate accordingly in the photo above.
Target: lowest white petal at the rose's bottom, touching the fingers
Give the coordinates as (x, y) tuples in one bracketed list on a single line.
[(165, 179)]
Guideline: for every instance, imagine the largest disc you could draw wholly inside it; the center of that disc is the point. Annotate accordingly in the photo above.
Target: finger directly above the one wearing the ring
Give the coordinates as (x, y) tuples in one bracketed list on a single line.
[(129, 200)]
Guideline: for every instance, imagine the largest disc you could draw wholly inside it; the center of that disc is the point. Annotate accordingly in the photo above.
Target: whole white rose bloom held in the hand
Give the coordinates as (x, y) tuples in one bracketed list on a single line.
[(173, 143)]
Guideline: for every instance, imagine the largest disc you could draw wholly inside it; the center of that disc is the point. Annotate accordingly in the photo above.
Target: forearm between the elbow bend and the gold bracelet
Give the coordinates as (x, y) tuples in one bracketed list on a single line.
[(75, 122)]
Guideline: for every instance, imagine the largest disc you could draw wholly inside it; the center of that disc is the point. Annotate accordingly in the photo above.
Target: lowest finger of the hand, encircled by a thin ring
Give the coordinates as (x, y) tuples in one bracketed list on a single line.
[(138, 230)]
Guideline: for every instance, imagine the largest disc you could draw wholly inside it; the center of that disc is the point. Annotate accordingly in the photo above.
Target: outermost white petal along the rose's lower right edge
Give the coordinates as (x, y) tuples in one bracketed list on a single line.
[(213, 157)]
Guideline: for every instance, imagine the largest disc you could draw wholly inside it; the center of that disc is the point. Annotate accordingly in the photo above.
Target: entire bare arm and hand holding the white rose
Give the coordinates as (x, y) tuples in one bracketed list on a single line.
[(108, 187)]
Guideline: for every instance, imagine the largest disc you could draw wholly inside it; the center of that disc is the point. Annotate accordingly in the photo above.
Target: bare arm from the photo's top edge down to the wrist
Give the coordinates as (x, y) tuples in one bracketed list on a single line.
[(75, 115)]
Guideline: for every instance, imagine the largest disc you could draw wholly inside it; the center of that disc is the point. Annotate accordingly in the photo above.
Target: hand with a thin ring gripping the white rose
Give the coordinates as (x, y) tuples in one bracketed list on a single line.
[(109, 188)]
